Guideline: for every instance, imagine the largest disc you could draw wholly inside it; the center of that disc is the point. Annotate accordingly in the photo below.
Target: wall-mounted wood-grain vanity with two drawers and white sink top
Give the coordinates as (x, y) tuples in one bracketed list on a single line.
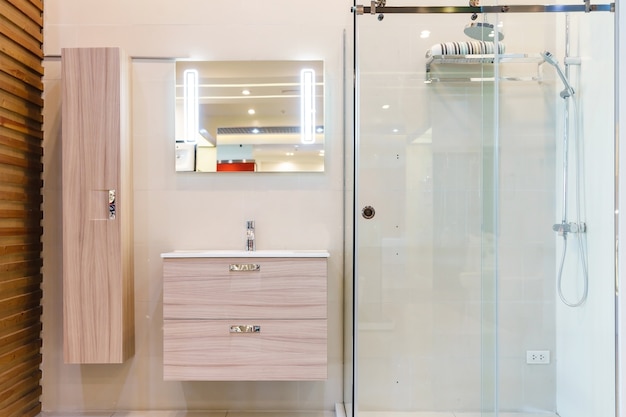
[(245, 316)]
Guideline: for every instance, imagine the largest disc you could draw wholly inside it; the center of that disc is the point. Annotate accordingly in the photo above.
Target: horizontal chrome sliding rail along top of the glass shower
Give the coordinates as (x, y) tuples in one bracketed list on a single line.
[(550, 8)]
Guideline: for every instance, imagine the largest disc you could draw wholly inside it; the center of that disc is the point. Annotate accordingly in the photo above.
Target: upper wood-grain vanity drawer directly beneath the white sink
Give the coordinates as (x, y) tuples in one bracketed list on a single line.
[(208, 288)]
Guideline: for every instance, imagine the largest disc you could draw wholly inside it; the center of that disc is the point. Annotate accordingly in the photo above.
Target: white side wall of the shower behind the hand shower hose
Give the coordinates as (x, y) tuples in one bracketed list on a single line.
[(585, 354)]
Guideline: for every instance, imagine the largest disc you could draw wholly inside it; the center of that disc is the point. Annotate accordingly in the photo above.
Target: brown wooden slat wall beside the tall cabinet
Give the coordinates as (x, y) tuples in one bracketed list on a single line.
[(21, 71)]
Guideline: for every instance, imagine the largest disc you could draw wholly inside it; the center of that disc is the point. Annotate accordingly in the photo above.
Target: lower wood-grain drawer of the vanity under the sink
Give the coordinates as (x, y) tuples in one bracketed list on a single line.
[(281, 350)]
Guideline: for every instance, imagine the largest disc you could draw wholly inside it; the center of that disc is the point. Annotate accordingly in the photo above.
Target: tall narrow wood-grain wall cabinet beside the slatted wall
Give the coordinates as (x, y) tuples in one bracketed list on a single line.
[(97, 208)]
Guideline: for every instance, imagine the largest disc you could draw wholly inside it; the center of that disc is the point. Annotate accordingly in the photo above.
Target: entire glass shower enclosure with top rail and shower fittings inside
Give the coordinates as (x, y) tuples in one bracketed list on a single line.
[(483, 206)]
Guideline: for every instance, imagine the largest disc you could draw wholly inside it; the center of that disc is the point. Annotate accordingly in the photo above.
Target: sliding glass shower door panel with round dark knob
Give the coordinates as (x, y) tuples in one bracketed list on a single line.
[(425, 156)]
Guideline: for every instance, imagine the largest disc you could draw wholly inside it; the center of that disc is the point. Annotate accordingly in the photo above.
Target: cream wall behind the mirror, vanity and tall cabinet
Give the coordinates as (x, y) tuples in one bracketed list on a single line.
[(195, 211)]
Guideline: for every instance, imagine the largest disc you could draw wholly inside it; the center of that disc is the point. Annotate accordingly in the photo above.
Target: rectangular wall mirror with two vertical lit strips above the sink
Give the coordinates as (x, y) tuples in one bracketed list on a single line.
[(261, 116)]
